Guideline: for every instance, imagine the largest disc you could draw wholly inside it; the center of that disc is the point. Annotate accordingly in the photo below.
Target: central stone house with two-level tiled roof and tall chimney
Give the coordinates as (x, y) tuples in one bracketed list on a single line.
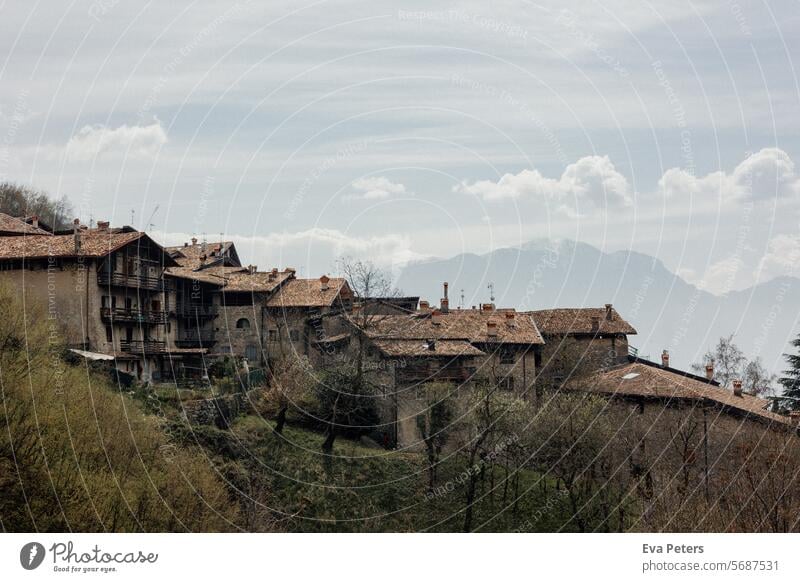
[(404, 353)]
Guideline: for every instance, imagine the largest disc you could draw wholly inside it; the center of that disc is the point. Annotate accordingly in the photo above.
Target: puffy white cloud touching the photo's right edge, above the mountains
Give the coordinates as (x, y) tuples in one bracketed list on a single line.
[(766, 175)]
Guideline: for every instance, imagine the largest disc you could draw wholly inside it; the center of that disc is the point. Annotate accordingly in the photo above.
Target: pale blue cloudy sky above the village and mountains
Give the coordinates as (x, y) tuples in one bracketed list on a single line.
[(395, 131)]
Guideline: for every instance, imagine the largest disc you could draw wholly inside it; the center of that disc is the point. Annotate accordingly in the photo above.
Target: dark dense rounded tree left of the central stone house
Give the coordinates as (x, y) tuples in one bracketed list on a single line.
[(346, 403)]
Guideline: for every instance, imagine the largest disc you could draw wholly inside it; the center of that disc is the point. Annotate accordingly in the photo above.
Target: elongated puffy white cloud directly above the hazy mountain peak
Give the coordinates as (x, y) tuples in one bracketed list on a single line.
[(592, 181)]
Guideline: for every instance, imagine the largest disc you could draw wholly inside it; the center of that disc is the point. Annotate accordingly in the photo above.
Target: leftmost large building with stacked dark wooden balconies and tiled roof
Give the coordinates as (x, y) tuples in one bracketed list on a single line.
[(103, 288)]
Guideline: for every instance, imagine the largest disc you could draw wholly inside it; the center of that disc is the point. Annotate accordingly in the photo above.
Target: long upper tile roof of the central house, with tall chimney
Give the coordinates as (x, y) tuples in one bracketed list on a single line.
[(472, 325)]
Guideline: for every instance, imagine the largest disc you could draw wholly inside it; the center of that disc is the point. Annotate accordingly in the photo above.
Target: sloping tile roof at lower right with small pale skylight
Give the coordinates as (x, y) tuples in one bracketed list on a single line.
[(648, 380)]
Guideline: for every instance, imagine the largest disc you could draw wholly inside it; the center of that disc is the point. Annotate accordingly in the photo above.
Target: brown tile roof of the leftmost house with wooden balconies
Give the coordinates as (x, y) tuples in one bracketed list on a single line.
[(93, 244)]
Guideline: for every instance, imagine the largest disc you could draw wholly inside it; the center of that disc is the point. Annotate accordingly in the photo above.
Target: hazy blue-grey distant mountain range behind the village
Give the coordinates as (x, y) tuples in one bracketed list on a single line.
[(668, 312)]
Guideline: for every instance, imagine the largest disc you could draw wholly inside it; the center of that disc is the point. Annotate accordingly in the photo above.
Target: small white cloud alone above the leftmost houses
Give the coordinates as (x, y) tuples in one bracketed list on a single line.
[(98, 140)]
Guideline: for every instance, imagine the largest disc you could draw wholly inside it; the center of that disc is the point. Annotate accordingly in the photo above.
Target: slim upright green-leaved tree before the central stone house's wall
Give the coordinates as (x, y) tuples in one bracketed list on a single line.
[(435, 424)]
